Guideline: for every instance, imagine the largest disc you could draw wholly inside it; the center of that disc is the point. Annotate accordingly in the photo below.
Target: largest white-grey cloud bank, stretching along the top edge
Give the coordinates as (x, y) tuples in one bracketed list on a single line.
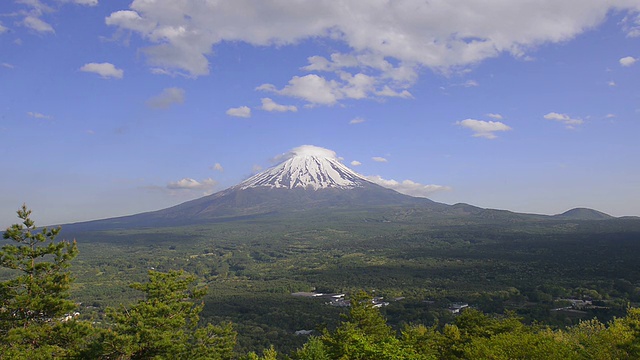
[(433, 34)]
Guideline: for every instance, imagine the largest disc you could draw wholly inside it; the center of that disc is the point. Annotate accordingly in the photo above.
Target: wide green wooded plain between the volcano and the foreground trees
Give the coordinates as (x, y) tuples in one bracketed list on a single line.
[(252, 266)]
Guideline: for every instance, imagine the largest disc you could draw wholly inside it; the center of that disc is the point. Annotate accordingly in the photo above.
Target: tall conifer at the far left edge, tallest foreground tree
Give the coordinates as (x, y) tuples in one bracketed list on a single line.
[(34, 304)]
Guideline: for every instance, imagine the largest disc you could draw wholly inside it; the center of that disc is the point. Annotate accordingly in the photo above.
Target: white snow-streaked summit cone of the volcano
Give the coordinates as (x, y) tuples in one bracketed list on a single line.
[(308, 167)]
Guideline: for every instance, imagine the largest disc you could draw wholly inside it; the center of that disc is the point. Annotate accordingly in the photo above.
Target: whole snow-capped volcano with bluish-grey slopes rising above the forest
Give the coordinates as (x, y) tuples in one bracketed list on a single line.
[(309, 180)]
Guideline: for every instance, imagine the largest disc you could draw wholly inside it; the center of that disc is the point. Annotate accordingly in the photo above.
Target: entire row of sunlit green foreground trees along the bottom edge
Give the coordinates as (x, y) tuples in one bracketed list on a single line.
[(38, 321)]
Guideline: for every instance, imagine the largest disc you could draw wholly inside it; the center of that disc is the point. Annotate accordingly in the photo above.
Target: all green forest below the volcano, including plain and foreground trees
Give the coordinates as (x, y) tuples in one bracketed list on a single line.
[(224, 291)]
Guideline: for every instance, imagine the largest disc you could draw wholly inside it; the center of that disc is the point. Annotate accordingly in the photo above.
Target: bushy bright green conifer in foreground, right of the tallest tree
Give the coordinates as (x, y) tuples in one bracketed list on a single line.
[(165, 324)]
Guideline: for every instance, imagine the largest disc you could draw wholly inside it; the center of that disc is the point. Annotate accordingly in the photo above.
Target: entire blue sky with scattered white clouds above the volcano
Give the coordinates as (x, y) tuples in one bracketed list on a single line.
[(110, 108)]
